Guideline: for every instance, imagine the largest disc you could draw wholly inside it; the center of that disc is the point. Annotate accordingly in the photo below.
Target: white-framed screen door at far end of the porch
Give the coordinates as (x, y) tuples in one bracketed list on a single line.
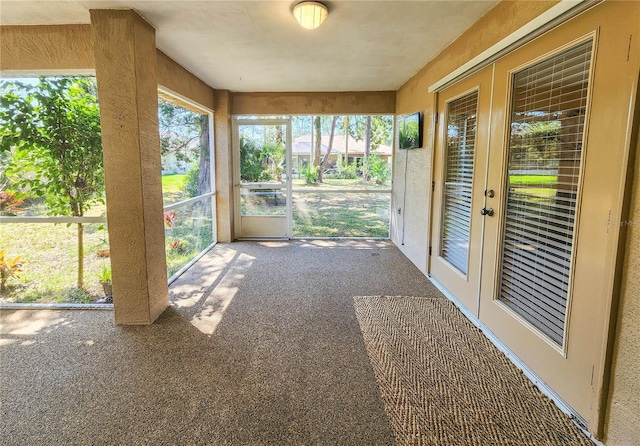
[(263, 178)]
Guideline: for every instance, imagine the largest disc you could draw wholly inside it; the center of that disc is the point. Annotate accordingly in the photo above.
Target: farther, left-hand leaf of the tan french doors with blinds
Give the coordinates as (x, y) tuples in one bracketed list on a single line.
[(461, 154)]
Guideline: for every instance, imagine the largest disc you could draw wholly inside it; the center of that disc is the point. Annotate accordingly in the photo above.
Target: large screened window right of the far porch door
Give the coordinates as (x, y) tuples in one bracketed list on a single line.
[(333, 158)]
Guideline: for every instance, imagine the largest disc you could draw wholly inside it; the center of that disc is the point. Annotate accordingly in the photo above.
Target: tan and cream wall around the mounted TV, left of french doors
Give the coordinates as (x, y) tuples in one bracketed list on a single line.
[(410, 230)]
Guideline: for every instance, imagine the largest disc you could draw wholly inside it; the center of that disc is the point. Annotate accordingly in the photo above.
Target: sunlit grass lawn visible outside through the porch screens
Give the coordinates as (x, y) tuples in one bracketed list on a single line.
[(49, 251)]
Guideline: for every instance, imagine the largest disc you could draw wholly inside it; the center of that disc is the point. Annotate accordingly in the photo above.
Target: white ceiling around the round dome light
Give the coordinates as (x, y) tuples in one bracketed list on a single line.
[(258, 46)]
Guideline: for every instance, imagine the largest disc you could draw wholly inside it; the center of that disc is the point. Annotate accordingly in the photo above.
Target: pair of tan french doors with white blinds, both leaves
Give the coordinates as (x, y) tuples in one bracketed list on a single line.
[(521, 231)]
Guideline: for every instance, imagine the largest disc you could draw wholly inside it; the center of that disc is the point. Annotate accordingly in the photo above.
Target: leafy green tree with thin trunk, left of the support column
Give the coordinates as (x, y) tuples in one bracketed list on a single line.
[(52, 132)]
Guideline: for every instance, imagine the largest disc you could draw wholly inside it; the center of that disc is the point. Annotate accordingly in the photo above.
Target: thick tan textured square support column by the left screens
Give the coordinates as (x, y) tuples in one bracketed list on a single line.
[(125, 54)]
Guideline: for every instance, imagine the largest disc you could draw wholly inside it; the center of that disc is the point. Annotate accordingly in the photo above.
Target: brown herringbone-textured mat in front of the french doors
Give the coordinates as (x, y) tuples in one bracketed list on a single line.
[(444, 383)]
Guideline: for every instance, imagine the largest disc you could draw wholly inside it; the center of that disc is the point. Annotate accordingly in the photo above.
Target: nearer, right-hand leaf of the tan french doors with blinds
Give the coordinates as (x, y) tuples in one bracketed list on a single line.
[(548, 256)]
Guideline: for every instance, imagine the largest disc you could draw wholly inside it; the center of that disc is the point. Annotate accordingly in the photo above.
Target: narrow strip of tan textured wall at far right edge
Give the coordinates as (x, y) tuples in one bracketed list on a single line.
[(624, 399)]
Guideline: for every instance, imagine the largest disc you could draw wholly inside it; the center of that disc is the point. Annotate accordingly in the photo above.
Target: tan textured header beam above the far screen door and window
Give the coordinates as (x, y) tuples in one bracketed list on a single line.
[(379, 102)]
